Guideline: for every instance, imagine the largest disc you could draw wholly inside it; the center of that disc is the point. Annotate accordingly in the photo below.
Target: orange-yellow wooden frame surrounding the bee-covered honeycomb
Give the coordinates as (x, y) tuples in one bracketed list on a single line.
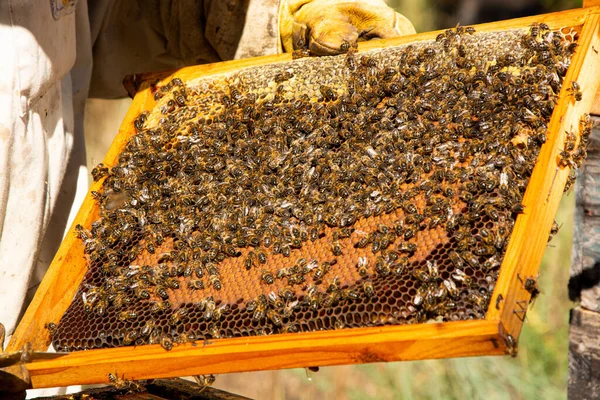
[(497, 334)]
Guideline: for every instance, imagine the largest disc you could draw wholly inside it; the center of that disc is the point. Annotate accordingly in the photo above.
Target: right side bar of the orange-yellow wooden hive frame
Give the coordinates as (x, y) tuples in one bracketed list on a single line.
[(544, 192)]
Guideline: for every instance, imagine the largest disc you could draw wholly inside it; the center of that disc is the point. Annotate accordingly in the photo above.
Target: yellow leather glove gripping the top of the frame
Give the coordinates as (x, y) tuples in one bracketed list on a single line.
[(328, 27)]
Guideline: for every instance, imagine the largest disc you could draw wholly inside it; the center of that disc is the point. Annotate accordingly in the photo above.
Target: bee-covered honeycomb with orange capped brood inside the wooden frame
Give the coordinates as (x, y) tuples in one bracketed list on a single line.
[(322, 193)]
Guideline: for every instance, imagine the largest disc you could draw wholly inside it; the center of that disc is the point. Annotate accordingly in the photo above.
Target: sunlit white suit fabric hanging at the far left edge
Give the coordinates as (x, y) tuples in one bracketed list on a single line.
[(40, 155)]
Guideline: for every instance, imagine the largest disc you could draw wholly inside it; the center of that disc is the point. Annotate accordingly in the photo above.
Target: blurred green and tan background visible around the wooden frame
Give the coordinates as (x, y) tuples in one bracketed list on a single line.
[(540, 369)]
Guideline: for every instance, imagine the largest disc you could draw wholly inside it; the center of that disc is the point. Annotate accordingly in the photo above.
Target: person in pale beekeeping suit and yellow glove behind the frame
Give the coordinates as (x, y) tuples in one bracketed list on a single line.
[(57, 53)]
